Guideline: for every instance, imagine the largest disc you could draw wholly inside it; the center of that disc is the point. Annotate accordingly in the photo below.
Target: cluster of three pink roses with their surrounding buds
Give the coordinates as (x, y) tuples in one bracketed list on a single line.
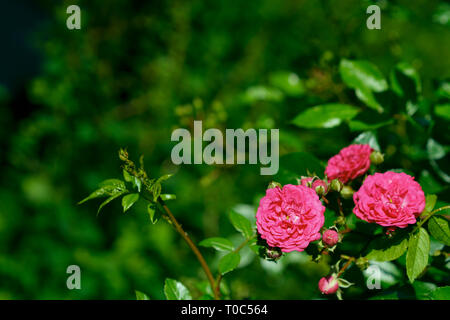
[(290, 217)]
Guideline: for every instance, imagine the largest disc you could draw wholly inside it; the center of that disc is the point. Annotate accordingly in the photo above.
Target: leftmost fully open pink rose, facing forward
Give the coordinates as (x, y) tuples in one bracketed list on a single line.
[(290, 218)]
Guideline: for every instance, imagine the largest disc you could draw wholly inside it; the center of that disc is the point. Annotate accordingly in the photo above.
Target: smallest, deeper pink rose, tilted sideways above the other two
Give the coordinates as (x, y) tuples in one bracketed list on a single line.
[(350, 163)]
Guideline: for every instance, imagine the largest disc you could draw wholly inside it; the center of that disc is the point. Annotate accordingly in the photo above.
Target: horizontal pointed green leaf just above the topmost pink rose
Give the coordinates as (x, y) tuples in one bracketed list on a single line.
[(325, 116)]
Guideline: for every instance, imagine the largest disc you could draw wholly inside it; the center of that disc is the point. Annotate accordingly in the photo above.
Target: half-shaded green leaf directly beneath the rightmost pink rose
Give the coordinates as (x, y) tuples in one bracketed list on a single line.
[(385, 249)]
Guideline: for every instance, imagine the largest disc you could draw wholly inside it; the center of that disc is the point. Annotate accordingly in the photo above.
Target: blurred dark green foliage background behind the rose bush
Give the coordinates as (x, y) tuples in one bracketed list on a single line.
[(136, 71)]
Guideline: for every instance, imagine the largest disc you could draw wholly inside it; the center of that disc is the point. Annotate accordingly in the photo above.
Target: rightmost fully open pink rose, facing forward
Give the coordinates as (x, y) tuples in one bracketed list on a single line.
[(389, 199)]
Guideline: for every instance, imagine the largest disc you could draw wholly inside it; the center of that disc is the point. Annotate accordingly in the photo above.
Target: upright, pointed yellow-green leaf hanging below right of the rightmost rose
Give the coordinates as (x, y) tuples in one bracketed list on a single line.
[(417, 255)]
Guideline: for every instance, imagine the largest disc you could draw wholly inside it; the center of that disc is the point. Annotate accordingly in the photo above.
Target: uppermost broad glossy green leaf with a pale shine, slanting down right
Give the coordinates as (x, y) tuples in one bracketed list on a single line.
[(359, 74)]
